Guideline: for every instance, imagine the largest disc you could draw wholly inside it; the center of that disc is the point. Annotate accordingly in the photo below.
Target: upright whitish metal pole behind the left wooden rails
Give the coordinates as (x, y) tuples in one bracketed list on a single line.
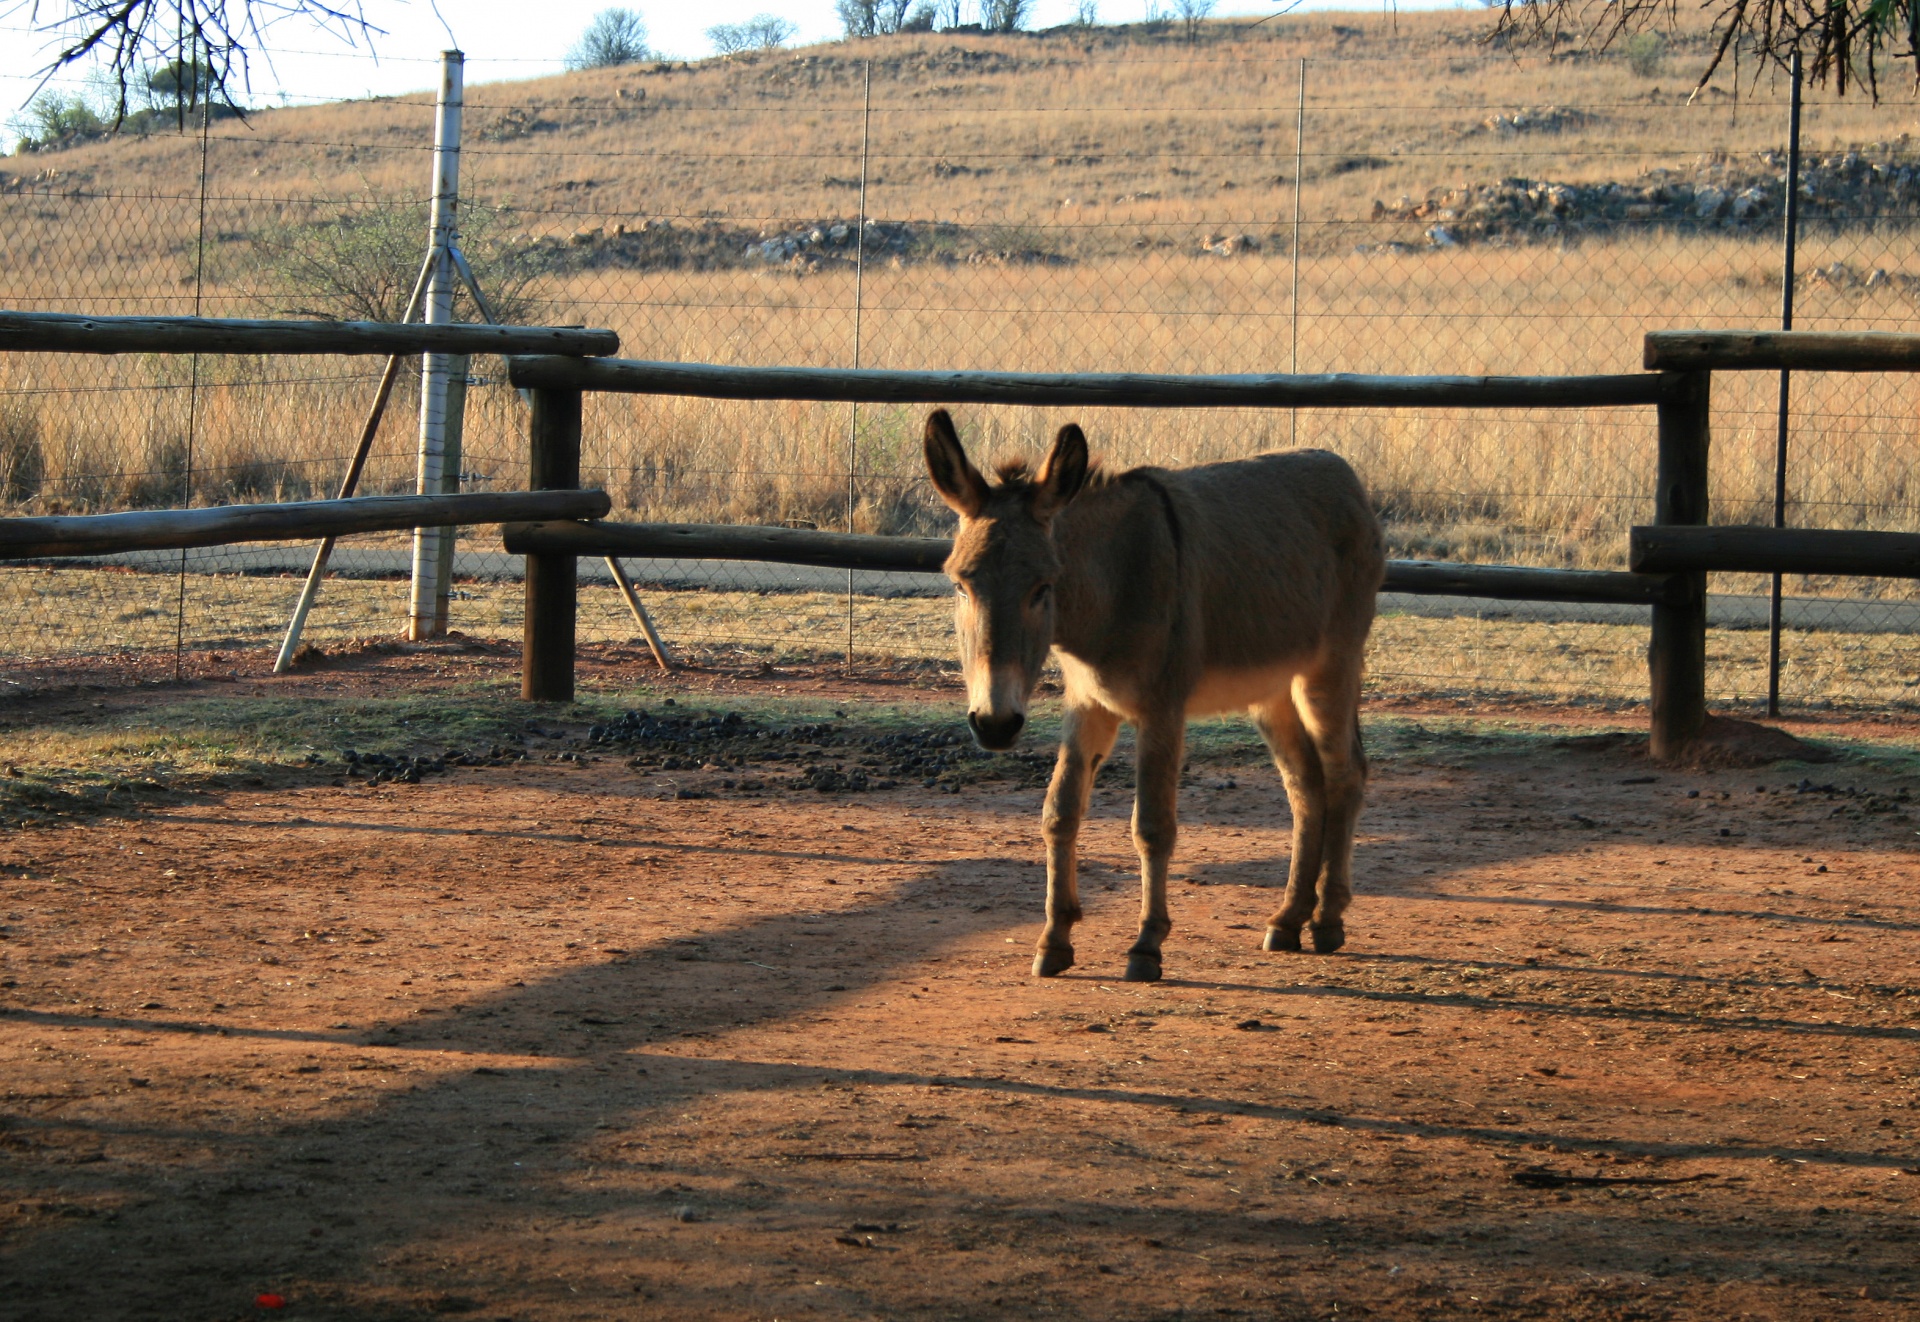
[(423, 611)]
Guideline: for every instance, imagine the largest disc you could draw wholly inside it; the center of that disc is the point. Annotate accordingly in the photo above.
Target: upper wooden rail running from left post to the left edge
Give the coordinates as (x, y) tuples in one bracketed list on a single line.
[(62, 333)]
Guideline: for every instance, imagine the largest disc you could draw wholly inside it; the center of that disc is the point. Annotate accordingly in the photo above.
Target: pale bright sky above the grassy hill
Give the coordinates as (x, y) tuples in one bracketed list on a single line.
[(302, 64)]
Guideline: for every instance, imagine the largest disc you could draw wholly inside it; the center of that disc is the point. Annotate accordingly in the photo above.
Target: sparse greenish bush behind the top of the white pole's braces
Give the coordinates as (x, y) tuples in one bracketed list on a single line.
[(362, 264)]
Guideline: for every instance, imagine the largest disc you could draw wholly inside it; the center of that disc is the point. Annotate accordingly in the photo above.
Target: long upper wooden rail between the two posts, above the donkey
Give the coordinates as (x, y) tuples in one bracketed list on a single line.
[(1116, 390)]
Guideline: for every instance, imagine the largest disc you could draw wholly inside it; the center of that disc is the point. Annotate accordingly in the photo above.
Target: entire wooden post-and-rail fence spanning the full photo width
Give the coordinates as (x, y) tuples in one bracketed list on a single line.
[(1669, 559)]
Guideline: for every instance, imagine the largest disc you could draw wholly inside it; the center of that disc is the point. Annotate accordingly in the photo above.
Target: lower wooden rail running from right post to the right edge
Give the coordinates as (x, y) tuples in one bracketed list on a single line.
[(1668, 550)]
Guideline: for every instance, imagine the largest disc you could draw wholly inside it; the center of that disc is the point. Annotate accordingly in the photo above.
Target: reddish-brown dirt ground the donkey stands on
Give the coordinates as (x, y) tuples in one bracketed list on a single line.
[(560, 1037)]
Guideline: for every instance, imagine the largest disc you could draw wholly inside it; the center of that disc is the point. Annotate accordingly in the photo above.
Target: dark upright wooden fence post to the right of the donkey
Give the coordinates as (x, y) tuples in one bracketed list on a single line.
[(1677, 657)]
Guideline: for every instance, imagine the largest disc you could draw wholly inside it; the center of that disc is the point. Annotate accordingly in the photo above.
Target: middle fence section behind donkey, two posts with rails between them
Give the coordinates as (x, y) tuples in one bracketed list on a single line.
[(1677, 653)]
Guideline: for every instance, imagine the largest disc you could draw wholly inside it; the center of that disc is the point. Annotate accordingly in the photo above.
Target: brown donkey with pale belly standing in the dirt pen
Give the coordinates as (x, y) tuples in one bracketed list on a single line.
[(1172, 594)]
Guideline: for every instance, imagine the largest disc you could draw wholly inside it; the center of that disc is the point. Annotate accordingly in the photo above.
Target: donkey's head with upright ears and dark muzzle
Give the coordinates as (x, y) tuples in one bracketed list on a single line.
[(1003, 569)]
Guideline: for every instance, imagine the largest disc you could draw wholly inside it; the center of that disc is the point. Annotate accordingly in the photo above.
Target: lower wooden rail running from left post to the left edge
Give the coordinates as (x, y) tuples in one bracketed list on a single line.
[(299, 521)]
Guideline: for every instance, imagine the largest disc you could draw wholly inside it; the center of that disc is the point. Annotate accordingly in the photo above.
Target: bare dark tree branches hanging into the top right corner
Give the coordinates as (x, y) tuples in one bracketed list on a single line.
[(1840, 41)]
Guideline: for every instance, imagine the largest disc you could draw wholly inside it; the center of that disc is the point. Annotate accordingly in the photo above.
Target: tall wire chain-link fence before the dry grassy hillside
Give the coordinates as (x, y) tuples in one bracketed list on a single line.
[(1105, 201)]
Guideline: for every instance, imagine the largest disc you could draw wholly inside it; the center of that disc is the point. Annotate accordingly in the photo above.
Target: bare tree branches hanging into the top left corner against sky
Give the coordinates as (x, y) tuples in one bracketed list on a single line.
[(130, 37)]
